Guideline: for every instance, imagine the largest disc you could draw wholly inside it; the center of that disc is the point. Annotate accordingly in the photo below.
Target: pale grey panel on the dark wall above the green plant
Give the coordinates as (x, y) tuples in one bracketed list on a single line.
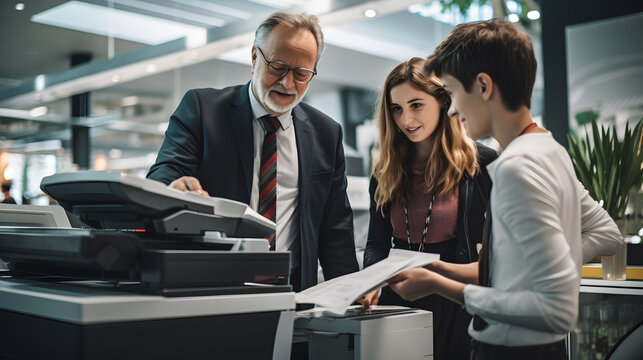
[(605, 68)]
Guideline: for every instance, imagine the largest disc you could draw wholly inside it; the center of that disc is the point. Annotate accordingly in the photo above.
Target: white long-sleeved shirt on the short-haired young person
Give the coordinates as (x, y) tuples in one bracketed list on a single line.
[(544, 226)]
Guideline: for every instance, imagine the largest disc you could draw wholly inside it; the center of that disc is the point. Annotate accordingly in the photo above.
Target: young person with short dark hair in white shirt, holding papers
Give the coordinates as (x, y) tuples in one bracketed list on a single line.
[(543, 224)]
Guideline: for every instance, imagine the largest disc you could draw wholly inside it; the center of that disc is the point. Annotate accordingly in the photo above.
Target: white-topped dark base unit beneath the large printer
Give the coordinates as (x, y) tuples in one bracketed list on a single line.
[(65, 321)]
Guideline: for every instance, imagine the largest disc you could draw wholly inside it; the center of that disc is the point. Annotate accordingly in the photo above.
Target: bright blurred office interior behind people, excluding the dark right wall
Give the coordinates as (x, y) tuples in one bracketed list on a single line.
[(91, 84)]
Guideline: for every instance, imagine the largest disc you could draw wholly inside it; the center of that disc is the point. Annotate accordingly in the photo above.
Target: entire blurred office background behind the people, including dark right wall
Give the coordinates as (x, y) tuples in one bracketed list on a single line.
[(91, 84)]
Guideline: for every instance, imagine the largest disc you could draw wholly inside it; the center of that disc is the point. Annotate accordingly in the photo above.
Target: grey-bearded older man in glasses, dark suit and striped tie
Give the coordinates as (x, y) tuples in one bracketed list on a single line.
[(258, 144)]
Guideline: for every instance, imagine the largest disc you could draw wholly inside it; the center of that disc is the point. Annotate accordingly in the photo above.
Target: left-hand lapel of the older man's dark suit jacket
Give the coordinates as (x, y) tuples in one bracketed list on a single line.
[(240, 117)]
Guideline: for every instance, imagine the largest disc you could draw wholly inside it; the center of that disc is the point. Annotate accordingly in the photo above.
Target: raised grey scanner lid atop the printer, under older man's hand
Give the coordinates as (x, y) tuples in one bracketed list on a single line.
[(112, 200)]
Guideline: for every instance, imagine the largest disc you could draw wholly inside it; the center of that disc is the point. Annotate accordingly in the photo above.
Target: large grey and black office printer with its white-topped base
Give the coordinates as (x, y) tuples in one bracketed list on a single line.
[(152, 273)]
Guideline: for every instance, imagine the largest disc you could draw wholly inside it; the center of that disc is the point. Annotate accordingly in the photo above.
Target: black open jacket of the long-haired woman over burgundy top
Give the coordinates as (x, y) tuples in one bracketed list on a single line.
[(472, 204)]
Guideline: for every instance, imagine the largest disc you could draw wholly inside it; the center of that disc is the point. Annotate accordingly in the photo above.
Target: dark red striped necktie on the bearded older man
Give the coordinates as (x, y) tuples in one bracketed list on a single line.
[(268, 174)]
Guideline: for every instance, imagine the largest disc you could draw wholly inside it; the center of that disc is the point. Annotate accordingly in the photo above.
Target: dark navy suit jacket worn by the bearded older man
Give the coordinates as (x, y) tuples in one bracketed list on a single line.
[(210, 137)]
